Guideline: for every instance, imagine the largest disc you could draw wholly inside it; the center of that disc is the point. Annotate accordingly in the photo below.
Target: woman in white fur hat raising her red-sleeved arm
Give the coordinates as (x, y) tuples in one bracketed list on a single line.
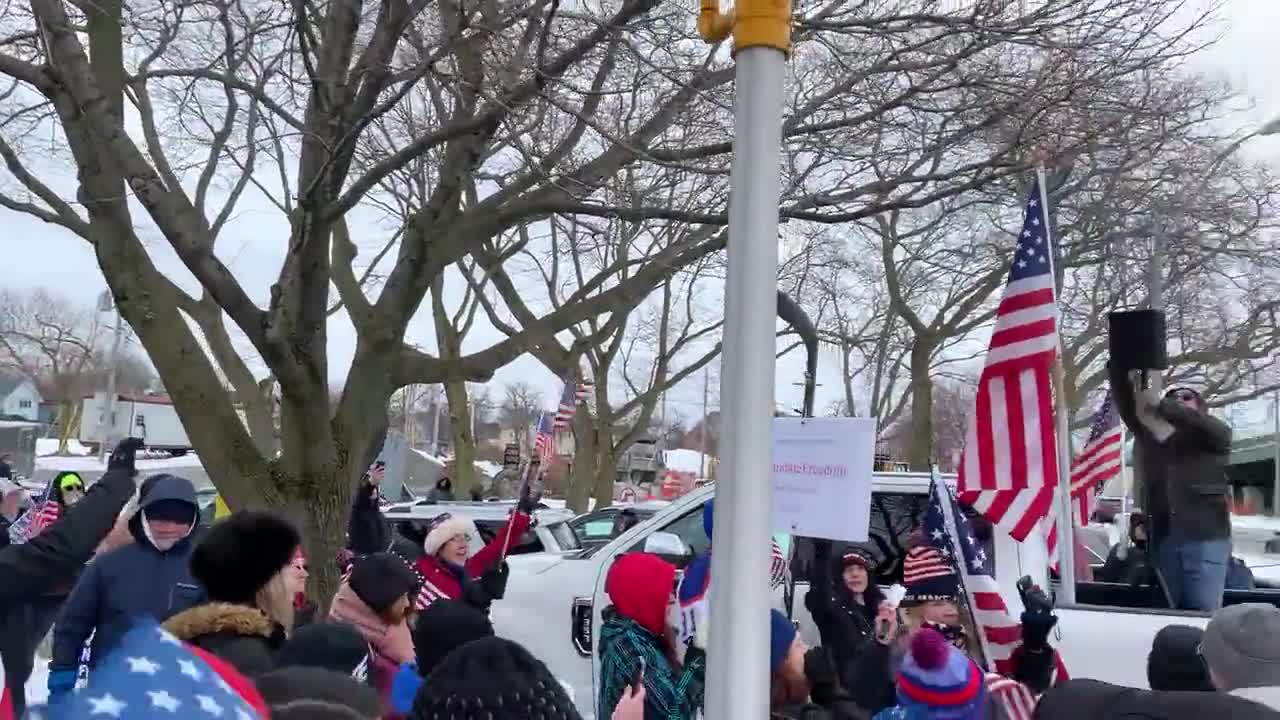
[(479, 580)]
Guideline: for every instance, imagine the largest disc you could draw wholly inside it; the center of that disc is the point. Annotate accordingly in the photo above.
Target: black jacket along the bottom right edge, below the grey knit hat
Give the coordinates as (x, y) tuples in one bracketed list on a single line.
[(1101, 701)]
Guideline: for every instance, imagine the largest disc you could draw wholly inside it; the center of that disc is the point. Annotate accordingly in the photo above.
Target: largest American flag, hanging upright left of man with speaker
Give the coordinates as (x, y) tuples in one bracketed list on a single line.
[(1009, 471)]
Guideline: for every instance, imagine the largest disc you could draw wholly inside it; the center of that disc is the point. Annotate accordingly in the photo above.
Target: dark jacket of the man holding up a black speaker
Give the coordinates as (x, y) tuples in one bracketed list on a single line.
[(1185, 489)]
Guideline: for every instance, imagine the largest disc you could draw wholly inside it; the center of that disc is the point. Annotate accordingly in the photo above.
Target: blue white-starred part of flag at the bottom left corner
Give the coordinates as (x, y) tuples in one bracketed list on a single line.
[(153, 675)]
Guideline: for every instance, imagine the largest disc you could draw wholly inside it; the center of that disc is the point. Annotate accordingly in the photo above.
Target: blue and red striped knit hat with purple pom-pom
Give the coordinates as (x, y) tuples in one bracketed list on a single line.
[(940, 682)]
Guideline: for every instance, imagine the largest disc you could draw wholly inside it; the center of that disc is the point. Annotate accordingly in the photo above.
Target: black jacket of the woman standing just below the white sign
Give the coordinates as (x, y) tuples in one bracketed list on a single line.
[(844, 625)]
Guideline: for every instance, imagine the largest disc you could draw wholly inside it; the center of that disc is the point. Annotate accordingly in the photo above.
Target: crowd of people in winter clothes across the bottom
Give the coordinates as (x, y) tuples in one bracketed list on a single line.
[(125, 572)]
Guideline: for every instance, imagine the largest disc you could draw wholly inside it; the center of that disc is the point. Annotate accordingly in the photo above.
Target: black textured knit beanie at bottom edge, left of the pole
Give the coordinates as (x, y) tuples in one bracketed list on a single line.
[(493, 680)]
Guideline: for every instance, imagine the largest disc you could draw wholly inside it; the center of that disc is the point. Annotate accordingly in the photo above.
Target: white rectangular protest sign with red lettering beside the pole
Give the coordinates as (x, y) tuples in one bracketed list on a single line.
[(822, 477)]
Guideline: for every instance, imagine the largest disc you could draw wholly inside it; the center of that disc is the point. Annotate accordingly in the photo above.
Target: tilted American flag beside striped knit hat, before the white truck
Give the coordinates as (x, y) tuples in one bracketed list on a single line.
[(998, 630)]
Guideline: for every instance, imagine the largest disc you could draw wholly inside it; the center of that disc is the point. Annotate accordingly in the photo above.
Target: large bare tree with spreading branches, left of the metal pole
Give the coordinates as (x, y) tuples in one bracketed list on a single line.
[(496, 117)]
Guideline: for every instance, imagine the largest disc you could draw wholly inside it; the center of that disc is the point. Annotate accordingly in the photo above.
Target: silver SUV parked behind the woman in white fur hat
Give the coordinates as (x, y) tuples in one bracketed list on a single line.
[(548, 534)]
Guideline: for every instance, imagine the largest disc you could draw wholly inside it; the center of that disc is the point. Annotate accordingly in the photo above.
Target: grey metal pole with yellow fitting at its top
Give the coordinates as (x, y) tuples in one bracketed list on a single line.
[(738, 675)]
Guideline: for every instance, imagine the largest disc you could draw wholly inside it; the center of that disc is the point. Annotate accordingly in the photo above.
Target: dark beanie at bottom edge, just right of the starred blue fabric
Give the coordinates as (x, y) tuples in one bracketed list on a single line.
[(289, 689)]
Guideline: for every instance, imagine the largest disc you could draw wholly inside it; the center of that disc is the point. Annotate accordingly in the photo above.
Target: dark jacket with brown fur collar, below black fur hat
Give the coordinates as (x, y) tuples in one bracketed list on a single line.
[(237, 634)]
